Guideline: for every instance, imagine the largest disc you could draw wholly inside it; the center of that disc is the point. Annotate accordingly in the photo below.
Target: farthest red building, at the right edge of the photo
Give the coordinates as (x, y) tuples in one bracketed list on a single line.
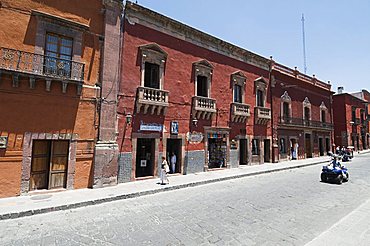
[(351, 117)]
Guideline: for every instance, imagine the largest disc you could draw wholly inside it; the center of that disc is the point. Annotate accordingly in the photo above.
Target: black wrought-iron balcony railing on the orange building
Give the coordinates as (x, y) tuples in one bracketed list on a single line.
[(36, 64)]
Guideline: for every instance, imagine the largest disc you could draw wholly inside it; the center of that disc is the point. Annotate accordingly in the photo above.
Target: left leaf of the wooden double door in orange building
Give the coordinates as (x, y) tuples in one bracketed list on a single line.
[(40, 165)]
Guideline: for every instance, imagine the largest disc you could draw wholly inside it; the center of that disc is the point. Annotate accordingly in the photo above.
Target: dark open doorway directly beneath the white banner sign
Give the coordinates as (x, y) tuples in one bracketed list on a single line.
[(145, 154)]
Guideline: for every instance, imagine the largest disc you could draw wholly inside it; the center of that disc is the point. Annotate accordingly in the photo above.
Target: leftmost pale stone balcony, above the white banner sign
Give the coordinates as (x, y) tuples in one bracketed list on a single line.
[(151, 100)]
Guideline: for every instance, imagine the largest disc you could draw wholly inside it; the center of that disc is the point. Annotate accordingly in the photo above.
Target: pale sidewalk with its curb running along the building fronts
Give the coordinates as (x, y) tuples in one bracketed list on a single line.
[(15, 207)]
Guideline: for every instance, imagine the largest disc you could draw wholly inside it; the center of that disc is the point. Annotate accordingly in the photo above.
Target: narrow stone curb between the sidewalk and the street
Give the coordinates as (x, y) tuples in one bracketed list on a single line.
[(143, 193)]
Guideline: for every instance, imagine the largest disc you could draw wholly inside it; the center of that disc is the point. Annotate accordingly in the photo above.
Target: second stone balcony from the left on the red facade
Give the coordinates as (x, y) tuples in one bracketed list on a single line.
[(204, 107)]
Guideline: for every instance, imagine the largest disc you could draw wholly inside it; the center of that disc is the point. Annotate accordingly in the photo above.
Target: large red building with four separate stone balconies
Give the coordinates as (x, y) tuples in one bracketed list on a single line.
[(185, 92)]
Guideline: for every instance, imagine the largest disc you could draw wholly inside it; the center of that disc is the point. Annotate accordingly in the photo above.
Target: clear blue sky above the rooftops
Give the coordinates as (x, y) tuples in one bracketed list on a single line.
[(337, 32)]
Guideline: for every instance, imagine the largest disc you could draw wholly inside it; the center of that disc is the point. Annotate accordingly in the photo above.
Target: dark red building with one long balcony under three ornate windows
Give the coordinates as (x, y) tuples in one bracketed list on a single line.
[(301, 114)]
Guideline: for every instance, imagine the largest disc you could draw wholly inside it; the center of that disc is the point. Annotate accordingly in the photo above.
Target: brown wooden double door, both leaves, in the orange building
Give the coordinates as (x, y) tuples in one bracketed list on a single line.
[(49, 164)]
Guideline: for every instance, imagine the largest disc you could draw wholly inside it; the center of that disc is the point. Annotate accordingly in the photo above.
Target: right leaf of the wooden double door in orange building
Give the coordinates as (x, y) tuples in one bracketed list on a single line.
[(58, 164)]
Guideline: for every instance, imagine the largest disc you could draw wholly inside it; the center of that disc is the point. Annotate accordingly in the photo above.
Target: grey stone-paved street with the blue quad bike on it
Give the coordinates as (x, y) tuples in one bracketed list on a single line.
[(284, 208)]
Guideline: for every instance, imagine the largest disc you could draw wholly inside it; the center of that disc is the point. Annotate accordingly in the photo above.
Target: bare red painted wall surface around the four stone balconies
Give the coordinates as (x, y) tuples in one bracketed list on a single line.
[(178, 81)]
